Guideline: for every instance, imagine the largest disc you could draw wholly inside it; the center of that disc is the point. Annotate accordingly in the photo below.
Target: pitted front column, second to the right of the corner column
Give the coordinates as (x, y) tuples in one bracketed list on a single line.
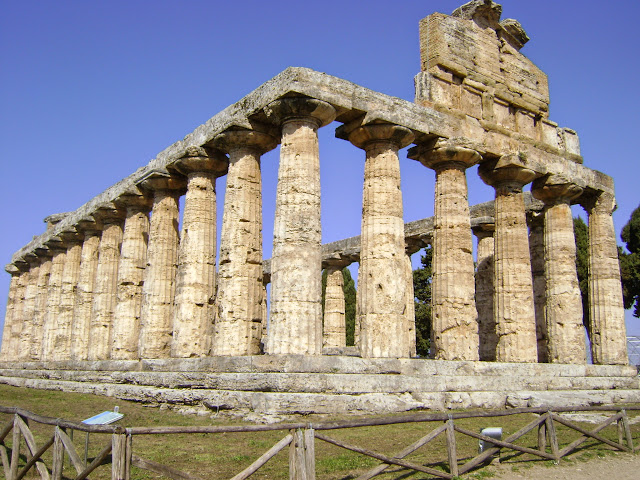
[(454, 315)]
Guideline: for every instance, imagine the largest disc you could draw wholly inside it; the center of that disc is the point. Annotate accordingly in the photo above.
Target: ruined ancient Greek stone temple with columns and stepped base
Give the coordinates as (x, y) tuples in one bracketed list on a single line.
[(115, 298)]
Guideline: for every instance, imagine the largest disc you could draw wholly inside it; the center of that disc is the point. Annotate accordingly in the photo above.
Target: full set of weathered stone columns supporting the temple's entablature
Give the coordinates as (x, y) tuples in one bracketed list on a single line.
[(124, 286)]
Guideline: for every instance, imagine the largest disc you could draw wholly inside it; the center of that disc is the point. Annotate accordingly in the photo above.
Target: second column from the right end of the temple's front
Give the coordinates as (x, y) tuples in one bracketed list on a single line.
[(563, 303)]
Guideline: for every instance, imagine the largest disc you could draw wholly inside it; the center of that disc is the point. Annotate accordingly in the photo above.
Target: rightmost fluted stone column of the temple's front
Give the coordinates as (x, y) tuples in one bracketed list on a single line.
[(606, 310)]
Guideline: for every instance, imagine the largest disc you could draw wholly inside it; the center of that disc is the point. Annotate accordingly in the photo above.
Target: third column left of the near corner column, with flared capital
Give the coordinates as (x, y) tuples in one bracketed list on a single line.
[(158, 291)]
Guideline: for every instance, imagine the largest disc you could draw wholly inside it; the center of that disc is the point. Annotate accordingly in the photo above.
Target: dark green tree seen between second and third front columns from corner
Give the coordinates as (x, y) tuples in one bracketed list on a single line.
[(422, 291)]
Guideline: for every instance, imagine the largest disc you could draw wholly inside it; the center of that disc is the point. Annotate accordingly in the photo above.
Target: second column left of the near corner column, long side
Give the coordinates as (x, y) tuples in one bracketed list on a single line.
[(196, 276)]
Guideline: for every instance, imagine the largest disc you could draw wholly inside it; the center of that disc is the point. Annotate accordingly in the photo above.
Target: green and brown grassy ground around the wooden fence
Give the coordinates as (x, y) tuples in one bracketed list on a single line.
[(214, 456)]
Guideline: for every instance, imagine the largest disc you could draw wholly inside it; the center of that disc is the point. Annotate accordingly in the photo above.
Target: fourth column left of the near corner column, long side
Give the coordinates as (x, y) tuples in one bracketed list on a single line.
[(133, 259)]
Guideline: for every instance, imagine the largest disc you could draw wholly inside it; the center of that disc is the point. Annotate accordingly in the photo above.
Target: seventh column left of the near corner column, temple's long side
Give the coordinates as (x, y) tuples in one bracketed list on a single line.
[(69, 284)]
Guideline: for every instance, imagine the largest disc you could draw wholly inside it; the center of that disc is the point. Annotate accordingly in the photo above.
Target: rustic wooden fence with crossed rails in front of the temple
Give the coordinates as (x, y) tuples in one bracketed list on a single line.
[(301, 441)]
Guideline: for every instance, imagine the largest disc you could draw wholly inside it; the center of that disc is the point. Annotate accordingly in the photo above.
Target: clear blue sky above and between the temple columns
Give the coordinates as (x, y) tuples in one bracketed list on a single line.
[(92, 90)]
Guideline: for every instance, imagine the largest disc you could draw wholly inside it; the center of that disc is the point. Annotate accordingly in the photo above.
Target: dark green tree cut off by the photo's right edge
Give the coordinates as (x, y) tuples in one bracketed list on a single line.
[(630, 263)]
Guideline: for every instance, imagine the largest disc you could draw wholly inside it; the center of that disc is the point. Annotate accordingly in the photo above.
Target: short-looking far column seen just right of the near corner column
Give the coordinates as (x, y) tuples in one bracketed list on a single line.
[(334, 327)]
